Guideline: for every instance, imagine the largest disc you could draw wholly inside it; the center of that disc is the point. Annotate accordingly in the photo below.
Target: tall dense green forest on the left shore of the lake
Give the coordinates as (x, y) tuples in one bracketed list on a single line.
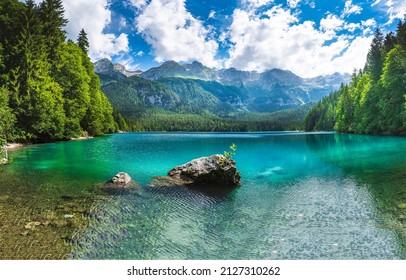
[(48, 88)]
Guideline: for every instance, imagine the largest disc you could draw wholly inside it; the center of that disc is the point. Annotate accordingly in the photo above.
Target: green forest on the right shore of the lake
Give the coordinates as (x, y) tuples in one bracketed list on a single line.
[(375, 100)]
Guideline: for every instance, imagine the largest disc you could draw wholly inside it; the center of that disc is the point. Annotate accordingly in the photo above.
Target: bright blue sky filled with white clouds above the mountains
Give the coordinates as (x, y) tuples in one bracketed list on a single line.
[(307, 37)]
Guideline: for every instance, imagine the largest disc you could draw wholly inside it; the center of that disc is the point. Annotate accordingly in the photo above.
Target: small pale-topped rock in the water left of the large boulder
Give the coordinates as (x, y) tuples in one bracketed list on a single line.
[(119, 184)]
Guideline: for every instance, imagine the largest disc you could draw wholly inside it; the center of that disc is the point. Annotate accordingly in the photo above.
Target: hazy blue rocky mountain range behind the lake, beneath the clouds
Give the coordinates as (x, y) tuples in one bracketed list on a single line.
[(195, 88)]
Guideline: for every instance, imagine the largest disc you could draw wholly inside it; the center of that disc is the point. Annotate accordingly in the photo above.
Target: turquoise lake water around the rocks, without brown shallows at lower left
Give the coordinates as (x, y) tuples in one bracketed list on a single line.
[(303, 196)]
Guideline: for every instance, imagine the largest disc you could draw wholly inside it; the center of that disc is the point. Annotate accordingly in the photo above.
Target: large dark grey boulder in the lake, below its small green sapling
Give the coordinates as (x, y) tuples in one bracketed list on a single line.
[(213, 171)]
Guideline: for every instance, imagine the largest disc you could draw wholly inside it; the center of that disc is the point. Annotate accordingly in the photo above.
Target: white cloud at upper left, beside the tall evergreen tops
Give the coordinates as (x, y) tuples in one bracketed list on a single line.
[(94, 16)]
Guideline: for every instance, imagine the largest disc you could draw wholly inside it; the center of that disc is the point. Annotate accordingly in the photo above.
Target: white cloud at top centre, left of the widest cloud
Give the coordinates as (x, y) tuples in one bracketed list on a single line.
[(175, 34)]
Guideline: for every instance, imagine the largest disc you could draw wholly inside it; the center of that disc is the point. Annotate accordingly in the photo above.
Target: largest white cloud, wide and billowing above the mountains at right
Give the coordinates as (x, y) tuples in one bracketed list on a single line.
[(276, 39)]
